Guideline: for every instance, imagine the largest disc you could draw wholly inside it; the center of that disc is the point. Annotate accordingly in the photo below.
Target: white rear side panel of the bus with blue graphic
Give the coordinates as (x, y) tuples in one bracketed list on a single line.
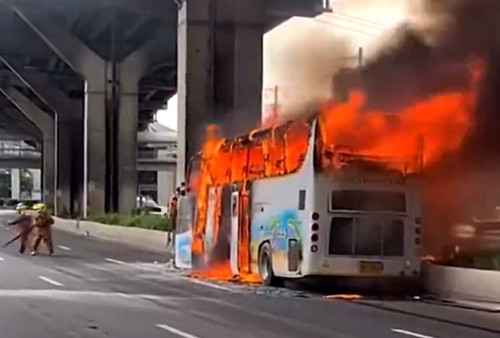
[(279, 217)]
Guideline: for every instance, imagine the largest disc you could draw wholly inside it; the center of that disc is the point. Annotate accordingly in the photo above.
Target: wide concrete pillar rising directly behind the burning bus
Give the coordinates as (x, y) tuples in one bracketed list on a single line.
[(219, 70)]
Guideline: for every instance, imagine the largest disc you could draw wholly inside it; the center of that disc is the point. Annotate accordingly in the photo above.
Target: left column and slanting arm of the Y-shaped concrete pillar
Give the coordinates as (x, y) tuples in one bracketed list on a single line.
[(93, 69)]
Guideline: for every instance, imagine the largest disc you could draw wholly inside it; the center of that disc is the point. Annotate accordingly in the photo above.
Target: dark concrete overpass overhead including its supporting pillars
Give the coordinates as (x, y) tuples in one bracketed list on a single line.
[(81, 78)]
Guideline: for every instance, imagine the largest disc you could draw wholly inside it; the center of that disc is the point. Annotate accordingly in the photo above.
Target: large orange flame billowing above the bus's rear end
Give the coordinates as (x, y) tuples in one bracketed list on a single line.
[(441, 122)]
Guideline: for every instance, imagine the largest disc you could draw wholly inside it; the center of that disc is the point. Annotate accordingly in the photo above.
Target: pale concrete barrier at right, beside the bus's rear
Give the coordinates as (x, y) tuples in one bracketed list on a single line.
[(462, 284)]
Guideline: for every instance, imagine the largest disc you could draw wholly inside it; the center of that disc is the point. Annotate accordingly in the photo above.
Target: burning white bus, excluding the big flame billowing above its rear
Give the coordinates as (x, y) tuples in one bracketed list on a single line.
[(283, 203)]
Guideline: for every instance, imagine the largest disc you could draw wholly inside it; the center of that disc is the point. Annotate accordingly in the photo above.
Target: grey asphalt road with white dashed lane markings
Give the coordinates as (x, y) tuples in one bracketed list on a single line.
[(97, 289)]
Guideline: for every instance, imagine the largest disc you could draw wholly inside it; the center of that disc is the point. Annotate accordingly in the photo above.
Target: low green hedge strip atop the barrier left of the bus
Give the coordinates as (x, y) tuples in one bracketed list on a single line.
[(151, 222)]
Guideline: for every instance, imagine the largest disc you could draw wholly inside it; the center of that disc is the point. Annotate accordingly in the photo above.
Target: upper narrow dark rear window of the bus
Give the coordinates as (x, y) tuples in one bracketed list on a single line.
[(363, 200)]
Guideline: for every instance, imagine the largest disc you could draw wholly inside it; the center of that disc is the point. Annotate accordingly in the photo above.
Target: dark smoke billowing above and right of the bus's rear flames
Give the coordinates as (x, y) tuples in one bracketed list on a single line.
[(433, 58)]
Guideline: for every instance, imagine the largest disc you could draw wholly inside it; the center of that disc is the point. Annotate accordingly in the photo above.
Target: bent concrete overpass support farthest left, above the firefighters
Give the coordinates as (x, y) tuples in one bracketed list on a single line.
[(47, 126)]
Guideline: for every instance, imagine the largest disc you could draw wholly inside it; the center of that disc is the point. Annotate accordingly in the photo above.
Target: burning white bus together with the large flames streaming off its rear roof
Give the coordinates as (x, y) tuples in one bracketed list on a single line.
[(333, 194)]
